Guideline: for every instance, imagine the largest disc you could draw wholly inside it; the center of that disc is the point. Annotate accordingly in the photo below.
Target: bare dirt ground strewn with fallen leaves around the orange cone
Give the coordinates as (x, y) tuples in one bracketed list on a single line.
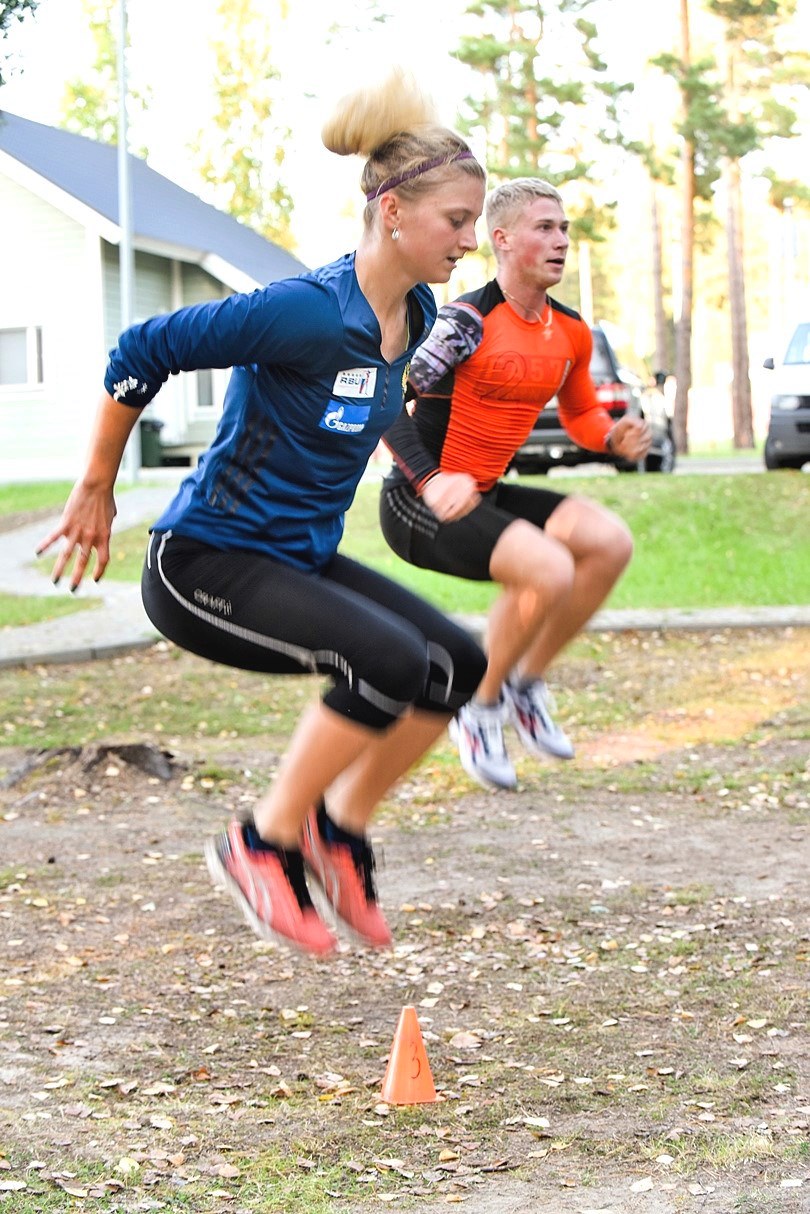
[(610, 969)]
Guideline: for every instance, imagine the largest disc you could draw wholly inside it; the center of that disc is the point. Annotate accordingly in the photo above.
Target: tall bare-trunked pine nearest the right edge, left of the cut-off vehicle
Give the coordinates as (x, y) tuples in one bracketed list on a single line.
[(757, 71)]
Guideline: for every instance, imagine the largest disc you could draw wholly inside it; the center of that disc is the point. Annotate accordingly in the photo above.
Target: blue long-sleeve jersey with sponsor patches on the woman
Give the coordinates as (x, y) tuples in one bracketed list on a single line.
[(309, 400)]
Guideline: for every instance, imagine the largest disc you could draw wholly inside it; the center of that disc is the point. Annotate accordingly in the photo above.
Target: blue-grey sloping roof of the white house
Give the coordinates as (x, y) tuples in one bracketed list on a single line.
[(162, 211)]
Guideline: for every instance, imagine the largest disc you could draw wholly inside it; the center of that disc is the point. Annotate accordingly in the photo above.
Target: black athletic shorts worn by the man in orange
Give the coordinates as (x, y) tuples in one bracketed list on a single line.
[(465, 548)]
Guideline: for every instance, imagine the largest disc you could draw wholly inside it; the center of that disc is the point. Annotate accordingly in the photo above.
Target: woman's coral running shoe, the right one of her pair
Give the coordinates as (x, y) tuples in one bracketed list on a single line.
[(343, 865)]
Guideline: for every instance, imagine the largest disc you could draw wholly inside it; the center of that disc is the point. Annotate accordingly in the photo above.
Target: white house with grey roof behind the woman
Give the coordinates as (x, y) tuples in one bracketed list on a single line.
[(60, 307)]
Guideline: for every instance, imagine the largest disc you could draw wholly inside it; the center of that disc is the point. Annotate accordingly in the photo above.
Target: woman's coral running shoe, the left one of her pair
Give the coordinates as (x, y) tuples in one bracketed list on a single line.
[(269, 887)]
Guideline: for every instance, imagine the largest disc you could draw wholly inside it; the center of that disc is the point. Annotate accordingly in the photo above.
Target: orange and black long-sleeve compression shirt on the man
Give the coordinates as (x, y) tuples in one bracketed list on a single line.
[(480, 381)]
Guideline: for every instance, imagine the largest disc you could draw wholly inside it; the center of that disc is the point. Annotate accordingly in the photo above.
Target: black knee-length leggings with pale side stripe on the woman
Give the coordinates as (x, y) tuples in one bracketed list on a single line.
[(384, 648)]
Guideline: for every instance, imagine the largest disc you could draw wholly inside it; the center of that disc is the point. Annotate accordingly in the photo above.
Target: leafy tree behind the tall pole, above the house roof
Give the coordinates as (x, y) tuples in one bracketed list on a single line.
[(90, 103)]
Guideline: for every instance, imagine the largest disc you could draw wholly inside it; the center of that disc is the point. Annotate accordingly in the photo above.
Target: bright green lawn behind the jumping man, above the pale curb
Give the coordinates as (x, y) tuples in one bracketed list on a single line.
[(738, 541)]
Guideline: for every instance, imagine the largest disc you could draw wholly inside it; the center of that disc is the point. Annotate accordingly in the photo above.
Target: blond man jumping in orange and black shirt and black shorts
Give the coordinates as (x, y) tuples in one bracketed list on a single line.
[(492, 361)]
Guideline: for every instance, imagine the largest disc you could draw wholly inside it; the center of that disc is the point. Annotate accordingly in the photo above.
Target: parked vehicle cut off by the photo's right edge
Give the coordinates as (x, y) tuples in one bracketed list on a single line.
[(789, 433)]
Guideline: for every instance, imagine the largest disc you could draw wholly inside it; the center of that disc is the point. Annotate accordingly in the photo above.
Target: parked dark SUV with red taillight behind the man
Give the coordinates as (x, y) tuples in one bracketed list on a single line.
[(550, 445)]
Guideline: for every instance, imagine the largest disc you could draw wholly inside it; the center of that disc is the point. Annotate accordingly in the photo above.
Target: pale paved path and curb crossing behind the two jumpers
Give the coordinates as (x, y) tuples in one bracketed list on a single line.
[(120, 623)]
